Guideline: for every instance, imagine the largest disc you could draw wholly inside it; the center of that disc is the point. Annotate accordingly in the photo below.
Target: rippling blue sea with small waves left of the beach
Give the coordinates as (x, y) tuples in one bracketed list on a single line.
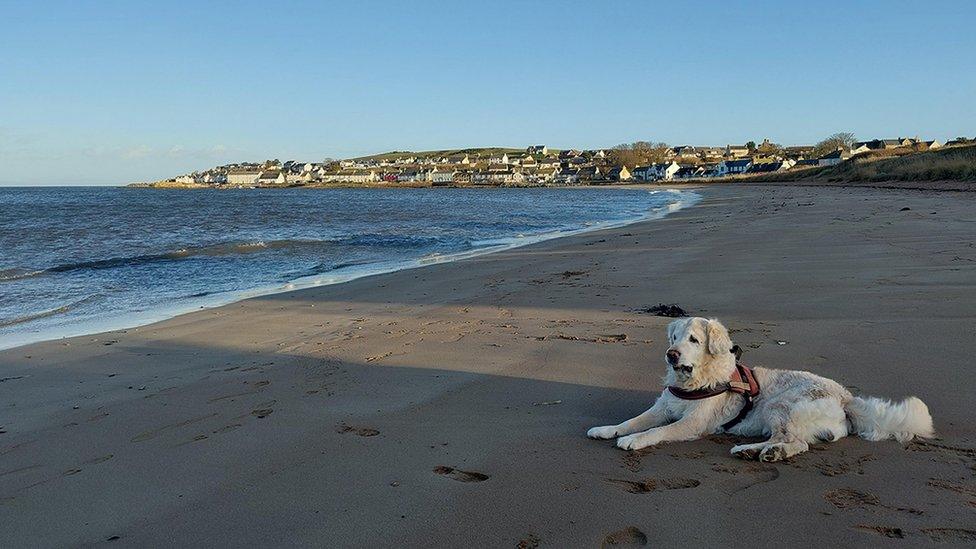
[(80, 260)]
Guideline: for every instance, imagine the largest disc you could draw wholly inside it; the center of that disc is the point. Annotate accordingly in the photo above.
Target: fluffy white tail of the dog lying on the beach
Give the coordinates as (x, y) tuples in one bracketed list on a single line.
[(875, 418)]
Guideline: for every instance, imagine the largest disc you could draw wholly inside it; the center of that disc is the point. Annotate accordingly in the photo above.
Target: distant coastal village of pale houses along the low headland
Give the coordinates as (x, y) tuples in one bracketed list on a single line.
[(538, 165)]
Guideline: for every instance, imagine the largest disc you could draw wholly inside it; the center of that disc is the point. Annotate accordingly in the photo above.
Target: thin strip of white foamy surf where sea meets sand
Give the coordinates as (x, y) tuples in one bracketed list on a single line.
[(137, 319)]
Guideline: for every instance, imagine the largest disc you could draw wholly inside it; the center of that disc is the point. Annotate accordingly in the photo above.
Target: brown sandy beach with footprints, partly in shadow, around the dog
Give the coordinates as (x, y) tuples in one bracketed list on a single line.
[(447, 406)]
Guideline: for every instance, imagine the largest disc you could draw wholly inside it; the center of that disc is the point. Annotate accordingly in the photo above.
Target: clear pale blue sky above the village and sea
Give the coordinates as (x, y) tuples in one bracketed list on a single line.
[(114, 92)]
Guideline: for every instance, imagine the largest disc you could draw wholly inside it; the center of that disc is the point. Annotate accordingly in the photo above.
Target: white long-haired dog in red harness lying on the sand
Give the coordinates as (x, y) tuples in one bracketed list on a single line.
[(708, 393)]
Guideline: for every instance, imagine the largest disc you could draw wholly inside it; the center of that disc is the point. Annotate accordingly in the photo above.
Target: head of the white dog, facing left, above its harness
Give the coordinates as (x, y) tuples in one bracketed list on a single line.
[(699, 353)]
